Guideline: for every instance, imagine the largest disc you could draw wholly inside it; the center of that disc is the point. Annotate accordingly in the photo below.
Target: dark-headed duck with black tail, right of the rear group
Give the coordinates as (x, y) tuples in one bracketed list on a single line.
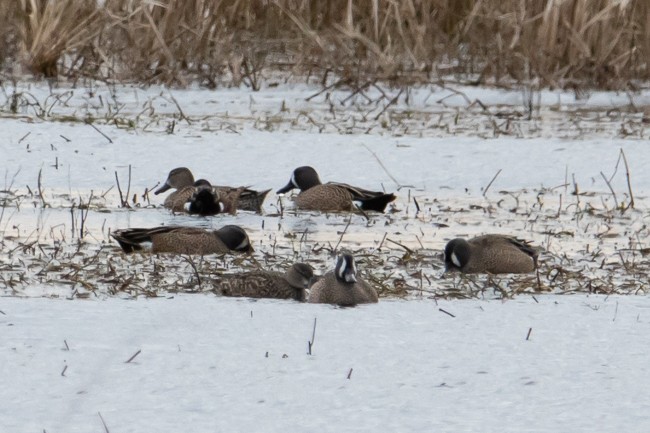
[(332, 196)]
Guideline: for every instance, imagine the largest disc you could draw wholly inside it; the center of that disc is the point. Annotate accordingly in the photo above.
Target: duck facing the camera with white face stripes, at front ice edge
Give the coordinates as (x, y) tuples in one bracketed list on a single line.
[(342, 286)]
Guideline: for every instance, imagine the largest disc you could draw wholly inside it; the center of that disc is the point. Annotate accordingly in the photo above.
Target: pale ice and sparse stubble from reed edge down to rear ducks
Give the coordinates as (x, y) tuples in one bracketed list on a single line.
[(445, 142)]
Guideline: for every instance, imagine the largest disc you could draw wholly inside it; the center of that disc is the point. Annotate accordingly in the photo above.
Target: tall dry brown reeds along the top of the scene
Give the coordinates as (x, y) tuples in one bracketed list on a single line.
[(558, 43)]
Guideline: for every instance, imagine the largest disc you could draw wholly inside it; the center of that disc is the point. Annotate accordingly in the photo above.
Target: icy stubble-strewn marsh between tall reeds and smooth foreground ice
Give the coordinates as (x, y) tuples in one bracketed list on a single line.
[(450, 182)]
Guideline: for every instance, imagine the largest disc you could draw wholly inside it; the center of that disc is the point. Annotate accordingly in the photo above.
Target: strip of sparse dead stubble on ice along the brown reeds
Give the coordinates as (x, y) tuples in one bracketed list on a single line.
[(366, 110)]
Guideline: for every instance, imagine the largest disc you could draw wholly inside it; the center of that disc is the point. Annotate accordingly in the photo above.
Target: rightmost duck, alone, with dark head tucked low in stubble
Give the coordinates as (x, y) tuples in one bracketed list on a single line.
[(494, 254)]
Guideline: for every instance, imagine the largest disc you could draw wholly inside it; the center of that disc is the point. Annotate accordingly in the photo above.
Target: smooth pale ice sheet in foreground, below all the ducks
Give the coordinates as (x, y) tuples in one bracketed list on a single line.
[(210, 364)]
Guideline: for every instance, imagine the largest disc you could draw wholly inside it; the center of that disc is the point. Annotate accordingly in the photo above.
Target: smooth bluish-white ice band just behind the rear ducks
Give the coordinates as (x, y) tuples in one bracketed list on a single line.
[(438, 166)]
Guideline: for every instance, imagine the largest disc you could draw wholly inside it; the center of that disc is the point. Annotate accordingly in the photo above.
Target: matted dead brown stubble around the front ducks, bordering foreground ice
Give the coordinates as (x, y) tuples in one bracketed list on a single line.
[(583, 251)]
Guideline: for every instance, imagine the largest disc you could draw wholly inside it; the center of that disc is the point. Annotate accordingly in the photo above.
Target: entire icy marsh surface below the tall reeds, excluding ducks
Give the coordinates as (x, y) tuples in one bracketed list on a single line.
[(203, 363)]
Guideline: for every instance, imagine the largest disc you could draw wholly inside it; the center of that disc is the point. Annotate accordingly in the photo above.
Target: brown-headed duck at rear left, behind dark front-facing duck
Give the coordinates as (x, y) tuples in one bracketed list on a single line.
[(182, 180)]
